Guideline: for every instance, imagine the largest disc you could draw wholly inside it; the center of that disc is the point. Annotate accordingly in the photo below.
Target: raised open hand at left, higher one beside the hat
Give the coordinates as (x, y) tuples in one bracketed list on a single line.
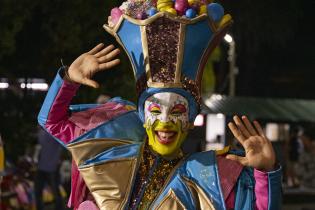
[(86, 65)]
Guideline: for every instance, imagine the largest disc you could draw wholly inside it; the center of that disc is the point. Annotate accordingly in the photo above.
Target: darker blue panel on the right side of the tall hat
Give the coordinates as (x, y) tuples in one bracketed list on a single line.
[(197, 39)]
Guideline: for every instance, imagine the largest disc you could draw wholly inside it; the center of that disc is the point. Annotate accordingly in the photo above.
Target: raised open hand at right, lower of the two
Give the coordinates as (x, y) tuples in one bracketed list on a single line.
[(258, 149)]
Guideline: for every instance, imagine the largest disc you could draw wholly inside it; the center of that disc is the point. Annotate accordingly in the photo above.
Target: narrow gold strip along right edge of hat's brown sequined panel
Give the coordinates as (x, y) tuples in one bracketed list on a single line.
[(180, 53)]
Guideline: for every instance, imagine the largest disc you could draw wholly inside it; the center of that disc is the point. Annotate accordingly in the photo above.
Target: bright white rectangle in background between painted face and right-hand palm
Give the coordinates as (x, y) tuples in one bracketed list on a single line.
[(215, 131)]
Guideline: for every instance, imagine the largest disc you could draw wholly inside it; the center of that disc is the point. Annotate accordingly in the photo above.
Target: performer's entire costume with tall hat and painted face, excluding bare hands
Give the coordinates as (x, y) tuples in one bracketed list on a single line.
[(120, 165)]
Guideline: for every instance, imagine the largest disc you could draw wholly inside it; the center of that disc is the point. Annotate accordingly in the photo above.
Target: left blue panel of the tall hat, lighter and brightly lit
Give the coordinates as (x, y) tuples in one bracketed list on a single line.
[(130, 36)]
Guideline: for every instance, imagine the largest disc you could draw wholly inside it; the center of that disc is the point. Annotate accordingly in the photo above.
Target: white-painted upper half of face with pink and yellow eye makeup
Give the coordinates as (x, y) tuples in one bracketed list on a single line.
[(166, 107)]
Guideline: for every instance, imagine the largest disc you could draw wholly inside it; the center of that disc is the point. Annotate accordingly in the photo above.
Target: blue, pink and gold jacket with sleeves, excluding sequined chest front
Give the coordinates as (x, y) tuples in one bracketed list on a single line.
[(113, 131)]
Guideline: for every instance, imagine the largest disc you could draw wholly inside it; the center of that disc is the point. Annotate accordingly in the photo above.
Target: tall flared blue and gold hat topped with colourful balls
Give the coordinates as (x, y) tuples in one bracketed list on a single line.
[(168, 44)]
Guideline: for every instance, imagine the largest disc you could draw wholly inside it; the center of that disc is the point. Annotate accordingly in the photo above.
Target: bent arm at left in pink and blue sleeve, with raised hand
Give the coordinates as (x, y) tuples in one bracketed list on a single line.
[(54, 114)]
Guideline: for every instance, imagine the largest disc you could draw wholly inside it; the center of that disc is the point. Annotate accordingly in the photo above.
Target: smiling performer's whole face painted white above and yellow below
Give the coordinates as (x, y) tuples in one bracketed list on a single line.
[(166, 122)]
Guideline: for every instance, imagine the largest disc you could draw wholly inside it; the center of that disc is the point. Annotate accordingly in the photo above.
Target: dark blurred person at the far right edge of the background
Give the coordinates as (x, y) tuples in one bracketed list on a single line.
[(306, 164)]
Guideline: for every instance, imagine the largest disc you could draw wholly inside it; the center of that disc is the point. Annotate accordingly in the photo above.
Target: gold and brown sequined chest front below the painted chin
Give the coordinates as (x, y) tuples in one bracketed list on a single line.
[(152, 175)]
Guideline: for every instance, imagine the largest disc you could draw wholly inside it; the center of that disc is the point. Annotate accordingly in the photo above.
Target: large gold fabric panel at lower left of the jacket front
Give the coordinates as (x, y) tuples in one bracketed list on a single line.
[(110, 182)]
